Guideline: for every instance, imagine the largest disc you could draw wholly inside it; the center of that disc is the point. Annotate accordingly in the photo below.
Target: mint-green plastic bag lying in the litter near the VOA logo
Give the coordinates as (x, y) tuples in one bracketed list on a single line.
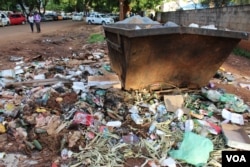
[(194, 149)]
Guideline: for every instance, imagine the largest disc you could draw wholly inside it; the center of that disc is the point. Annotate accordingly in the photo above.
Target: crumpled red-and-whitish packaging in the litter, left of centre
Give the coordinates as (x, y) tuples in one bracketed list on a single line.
[(83, 118)]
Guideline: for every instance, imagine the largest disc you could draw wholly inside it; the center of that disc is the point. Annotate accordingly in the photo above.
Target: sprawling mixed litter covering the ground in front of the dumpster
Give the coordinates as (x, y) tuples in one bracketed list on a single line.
[(76, 109)]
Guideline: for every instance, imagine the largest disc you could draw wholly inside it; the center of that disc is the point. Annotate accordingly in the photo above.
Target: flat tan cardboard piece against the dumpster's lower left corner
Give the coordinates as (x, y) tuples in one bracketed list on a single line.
[(104, 81)]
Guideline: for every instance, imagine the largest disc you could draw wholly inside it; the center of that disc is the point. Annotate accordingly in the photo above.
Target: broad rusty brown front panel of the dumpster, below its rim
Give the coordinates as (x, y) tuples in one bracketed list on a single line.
[(182, 60)]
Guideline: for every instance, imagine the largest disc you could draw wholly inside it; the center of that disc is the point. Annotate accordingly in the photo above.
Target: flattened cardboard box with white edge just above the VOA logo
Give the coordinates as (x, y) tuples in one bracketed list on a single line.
[(236, 136)]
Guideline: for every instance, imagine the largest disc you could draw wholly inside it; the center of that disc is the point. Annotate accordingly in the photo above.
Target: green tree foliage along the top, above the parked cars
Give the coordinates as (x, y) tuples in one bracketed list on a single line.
[(101, 5)]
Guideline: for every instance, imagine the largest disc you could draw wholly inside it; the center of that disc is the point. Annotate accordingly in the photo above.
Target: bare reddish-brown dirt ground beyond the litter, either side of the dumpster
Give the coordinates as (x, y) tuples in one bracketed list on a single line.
[(71, 38)]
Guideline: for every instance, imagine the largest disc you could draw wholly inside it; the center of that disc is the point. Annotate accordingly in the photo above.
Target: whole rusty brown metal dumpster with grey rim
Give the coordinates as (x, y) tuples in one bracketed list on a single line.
[(183, 57)]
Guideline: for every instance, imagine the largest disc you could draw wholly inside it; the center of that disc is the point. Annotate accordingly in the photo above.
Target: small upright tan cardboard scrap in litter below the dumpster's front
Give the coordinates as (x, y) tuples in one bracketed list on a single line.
[(173, 102)]
